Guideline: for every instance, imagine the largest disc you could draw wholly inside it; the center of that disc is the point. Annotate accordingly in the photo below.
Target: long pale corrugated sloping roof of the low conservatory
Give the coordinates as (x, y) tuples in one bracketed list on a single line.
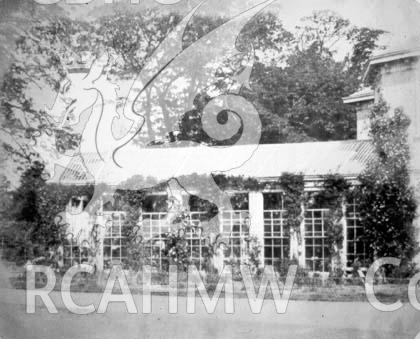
[(347, 158)]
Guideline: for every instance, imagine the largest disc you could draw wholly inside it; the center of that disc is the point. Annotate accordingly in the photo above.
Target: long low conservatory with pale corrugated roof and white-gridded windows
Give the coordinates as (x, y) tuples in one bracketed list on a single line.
[(257, 214)]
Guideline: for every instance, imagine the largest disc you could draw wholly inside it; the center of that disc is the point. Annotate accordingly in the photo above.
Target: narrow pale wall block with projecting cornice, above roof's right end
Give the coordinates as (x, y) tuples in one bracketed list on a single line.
[(363, 101)]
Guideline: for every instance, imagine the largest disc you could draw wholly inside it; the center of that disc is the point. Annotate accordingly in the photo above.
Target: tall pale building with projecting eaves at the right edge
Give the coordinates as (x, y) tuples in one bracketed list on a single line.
[(394, 76)]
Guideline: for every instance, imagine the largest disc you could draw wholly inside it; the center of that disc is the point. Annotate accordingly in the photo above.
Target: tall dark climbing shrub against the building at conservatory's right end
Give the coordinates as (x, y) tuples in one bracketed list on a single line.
[(386, 199)]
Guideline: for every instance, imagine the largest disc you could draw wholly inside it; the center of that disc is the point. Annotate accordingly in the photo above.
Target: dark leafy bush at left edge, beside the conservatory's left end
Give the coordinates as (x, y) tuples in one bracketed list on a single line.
[(33, 224)]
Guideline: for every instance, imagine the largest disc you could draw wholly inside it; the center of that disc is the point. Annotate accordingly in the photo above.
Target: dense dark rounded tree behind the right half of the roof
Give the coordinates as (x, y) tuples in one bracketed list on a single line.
[(306, 96)]
